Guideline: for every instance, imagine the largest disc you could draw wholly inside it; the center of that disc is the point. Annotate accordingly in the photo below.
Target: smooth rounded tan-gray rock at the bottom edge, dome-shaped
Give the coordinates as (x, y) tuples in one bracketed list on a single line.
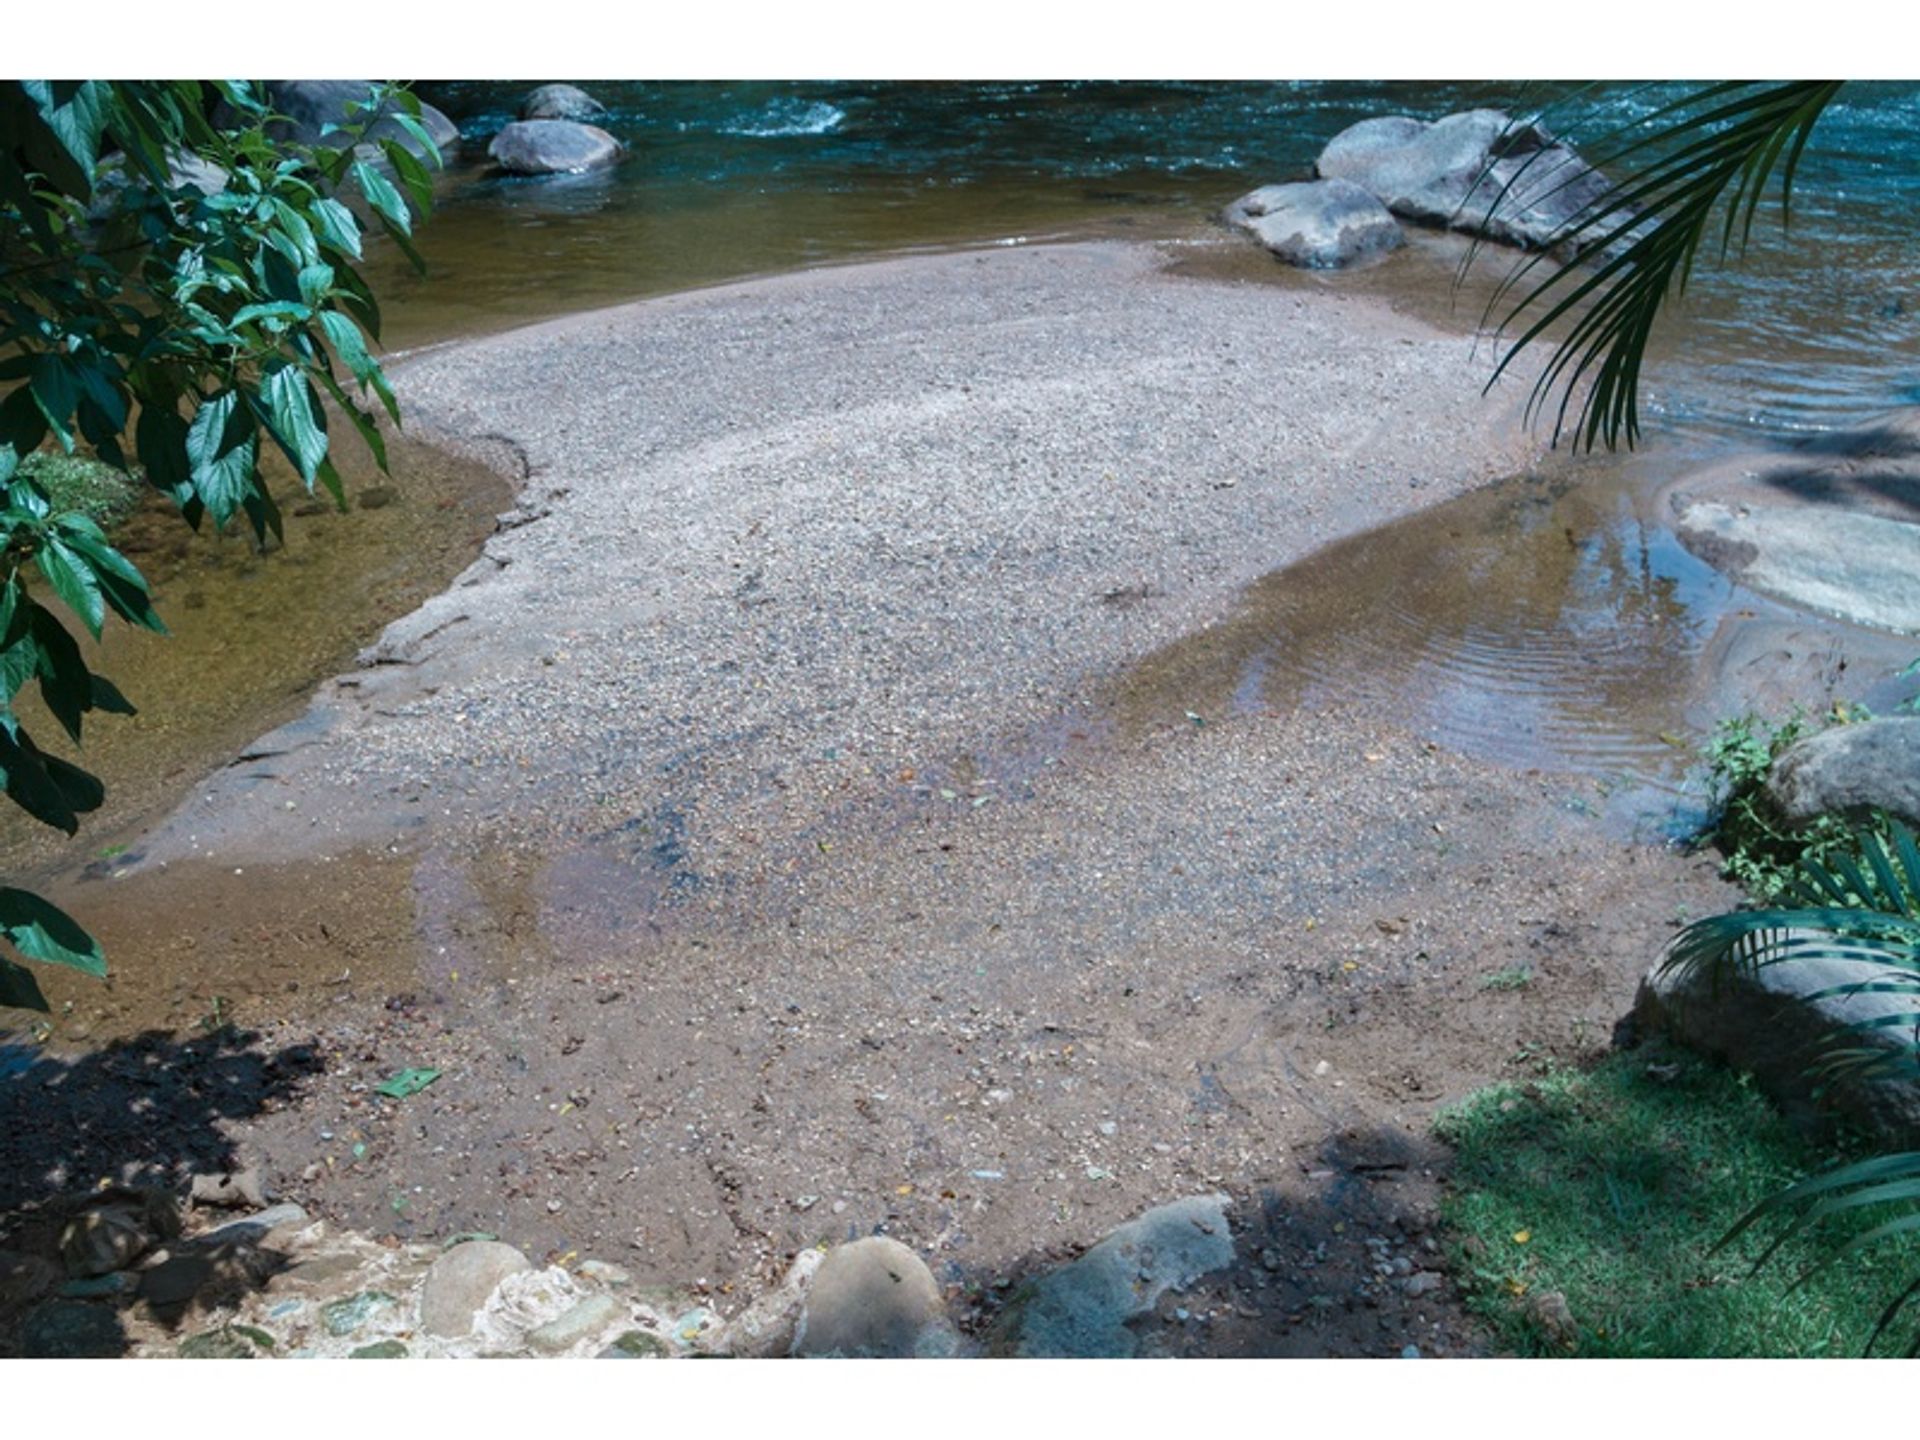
[(875, 1299)]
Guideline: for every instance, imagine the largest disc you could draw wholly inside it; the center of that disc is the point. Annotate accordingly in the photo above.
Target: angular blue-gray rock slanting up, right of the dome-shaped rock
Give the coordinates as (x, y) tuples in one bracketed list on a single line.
[(1084, 1308)]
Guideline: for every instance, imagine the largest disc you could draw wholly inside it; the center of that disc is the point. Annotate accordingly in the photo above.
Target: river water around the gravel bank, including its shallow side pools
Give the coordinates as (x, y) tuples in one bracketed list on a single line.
[(1545, 625)]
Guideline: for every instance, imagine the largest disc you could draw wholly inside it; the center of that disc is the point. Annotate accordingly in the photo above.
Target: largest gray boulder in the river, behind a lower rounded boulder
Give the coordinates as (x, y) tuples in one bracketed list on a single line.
[(1476, 172)]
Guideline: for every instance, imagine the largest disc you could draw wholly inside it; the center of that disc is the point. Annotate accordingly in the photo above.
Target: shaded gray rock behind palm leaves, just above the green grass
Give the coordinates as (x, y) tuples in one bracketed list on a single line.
[(1779, 1024)]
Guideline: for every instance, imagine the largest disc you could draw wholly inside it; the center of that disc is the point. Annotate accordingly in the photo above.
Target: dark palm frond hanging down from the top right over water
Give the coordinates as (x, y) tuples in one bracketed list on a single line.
[(1637, 245)]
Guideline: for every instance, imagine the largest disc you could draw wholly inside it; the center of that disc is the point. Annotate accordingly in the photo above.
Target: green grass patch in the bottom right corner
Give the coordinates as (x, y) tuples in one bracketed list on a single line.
[(1621, 1182)]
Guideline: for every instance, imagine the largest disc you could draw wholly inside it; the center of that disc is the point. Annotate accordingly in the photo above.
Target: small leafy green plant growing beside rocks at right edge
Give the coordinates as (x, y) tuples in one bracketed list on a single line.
[(1760, 848)]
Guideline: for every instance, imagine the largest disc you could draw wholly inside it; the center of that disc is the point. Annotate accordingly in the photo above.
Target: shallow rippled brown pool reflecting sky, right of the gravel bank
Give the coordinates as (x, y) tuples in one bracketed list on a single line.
[(1533, 623)]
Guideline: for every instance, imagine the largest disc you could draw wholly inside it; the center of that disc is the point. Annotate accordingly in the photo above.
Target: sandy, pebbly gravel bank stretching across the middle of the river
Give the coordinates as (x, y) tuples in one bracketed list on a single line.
[(754, 842)]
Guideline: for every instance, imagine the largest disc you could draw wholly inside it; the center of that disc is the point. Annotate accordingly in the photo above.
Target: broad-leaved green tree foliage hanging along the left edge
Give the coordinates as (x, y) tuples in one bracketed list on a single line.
[(180, 291)]
